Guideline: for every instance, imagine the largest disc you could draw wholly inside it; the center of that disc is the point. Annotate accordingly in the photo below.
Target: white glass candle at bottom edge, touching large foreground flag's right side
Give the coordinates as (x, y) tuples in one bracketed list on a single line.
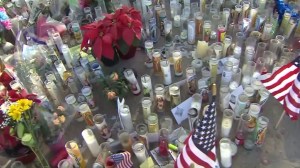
[(225, 152)]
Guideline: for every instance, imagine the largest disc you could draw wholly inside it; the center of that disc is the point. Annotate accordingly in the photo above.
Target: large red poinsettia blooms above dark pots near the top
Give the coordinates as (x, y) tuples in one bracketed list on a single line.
[(103, 35)]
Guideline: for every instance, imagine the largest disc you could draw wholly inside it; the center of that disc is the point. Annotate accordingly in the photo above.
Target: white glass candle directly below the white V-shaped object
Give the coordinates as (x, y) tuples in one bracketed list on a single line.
[(125, 117)]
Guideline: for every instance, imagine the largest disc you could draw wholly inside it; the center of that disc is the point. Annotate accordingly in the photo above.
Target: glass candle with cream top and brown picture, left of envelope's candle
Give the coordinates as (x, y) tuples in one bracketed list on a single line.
[(159, 97)]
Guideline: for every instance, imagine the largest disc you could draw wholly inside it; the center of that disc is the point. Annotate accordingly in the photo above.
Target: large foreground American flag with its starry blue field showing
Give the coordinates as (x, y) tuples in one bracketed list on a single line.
[(200, 150)]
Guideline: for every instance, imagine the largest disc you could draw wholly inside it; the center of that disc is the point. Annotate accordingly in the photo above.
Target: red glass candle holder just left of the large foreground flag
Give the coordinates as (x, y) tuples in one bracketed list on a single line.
[(163, 142)]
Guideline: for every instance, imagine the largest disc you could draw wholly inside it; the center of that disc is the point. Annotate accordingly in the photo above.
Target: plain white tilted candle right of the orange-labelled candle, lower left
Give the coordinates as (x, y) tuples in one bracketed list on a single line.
[(91, 141)]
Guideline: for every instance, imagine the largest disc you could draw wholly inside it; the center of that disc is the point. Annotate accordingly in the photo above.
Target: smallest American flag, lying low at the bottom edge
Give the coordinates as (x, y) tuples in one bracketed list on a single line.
[(122, 160)]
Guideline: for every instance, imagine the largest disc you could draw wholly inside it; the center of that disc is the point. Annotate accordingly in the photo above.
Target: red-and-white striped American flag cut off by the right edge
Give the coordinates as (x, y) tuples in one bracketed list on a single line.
[(284, 85)]
